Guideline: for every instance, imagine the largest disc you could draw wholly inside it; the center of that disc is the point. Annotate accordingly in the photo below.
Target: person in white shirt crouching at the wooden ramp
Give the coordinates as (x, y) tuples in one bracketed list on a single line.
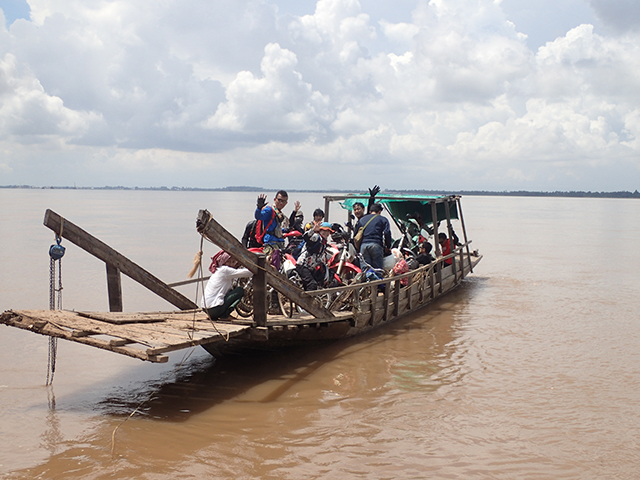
[(219, 298)]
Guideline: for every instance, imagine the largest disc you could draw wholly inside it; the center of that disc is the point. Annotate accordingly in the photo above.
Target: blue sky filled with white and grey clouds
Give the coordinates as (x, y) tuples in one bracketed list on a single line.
[(414, 94)]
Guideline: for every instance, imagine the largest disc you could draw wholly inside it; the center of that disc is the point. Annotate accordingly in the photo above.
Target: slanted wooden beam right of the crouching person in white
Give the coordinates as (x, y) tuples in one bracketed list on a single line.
[(211, 229)]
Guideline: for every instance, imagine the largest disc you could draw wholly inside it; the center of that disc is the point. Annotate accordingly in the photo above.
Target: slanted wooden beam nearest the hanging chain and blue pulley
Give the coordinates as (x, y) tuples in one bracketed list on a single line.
[(104, 252)]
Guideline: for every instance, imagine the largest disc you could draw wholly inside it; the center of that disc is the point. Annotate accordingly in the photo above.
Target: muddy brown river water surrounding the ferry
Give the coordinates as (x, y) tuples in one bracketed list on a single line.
[(530, 369)]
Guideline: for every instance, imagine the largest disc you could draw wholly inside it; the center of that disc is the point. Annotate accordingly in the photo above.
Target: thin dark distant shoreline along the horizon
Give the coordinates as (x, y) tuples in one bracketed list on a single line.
[(518, 193)]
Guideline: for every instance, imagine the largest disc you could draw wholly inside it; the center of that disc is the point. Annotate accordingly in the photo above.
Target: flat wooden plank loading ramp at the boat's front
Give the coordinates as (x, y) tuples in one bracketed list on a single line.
[(146, 336)]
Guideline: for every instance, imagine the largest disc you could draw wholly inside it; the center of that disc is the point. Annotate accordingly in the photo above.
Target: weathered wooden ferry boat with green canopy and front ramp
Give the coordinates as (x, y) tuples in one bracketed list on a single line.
[(354, 308)]
